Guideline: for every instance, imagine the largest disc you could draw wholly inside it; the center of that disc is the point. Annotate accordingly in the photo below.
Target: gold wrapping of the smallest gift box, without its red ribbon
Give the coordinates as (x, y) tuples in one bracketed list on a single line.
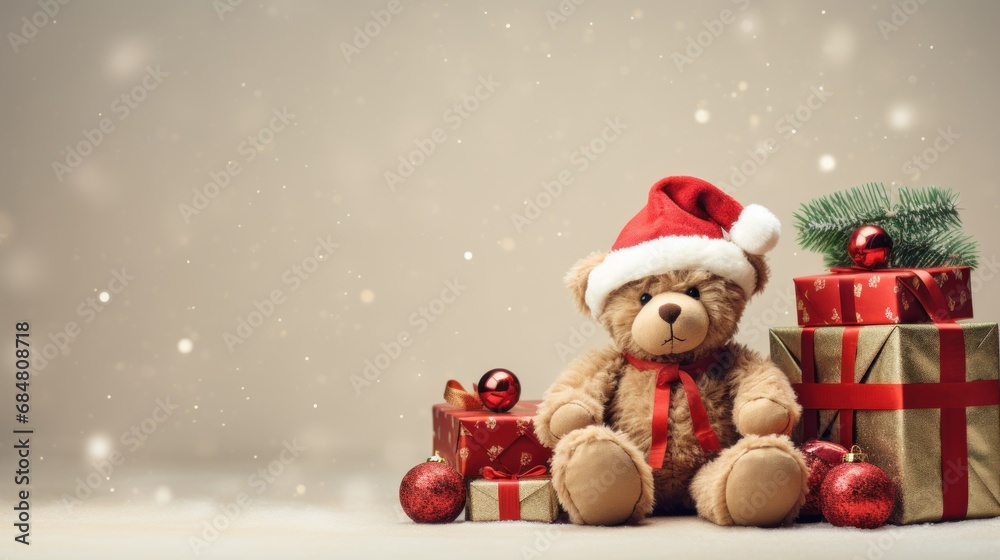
[(536, 497)]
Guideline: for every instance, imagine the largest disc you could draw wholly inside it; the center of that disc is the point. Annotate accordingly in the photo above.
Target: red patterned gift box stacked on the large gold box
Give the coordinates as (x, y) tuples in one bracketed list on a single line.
[(888, 296)]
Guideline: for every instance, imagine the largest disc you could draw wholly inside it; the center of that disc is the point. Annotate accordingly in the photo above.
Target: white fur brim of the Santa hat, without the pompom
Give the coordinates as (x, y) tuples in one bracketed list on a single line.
[(665, 254)]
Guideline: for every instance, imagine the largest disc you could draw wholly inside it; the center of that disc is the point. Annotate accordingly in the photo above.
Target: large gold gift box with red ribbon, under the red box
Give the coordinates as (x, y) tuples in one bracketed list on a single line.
[(922, 400)]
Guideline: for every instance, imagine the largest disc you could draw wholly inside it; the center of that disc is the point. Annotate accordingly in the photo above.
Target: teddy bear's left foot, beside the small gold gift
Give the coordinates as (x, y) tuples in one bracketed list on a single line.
[(601, 478)]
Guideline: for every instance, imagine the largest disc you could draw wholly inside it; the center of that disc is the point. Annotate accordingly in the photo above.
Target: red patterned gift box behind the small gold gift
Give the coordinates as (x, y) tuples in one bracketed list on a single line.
[(471, 440)]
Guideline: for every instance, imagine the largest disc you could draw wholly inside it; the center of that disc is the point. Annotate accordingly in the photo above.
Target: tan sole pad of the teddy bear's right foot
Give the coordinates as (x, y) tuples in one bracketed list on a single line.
[(763, 487)]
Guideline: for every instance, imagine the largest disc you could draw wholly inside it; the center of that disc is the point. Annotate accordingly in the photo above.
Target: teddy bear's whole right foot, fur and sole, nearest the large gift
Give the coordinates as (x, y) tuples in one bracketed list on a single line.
[(761, 481)]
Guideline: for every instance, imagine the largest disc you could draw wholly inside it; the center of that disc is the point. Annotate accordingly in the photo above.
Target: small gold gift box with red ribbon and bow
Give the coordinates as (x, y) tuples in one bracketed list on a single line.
[(503, 497)]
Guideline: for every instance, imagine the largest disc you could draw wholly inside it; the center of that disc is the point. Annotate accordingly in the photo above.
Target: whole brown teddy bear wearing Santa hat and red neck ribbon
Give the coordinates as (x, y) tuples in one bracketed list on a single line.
[(675, 416)]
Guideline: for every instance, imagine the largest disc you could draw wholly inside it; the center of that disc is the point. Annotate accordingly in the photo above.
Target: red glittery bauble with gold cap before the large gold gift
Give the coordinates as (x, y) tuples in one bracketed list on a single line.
[(857, 494)]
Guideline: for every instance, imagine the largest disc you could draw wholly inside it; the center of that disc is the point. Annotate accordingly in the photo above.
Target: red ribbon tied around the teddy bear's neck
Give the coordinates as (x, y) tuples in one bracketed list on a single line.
[(666, 374)]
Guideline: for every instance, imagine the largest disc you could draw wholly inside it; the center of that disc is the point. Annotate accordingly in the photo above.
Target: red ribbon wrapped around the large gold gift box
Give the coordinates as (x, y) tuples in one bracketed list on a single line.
[(952, 395)]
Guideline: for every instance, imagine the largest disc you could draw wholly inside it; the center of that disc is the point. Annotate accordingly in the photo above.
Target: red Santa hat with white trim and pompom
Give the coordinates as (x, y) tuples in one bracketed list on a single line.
[(681, 227)]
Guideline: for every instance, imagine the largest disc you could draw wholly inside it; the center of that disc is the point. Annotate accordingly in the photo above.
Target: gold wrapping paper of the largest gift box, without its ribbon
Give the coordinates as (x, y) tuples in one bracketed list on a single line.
[(907, 443)]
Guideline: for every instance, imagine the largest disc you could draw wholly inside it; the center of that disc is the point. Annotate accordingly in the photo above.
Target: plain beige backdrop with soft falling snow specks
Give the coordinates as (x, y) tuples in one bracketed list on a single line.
[(323, 176)]
